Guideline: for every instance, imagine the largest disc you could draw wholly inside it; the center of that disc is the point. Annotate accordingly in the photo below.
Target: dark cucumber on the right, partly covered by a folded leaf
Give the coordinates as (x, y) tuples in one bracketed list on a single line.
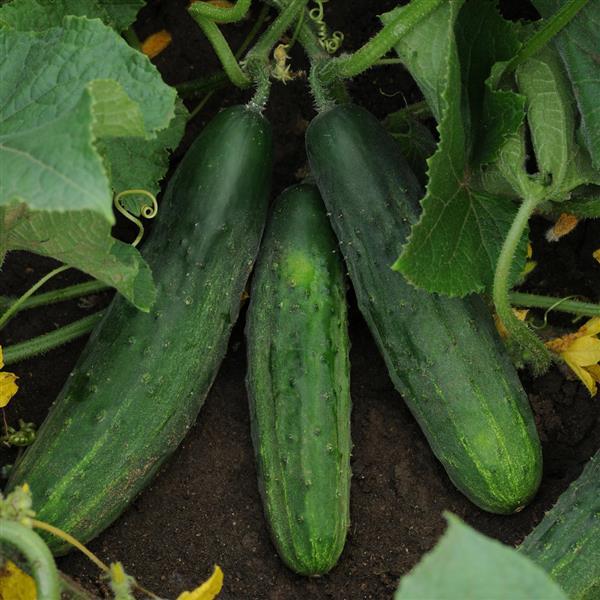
[(442, 354)]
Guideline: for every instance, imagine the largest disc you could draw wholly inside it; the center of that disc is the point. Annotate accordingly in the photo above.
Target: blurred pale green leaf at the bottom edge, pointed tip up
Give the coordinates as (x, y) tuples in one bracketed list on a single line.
[(466, 565)]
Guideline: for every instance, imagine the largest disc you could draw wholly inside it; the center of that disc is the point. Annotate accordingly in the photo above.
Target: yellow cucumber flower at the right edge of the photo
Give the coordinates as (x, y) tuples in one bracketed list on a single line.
[(581, 352)]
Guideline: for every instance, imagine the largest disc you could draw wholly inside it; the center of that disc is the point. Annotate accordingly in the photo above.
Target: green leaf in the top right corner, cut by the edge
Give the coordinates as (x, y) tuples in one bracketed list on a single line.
[(579, 45)]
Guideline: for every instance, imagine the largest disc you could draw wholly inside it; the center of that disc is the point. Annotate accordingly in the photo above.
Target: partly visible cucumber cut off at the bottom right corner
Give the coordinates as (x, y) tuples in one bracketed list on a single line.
[(566, 543)]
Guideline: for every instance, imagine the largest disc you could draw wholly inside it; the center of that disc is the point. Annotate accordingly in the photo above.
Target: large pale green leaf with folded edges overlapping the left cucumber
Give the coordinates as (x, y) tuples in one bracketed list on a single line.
[(65, 90)]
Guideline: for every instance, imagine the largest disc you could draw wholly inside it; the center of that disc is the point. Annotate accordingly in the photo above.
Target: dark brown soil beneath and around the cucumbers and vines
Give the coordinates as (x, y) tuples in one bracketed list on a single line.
[(204, 508)]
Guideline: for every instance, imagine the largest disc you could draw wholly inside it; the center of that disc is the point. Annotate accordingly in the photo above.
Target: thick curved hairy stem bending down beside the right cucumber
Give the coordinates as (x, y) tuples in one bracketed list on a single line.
[(529, 342)]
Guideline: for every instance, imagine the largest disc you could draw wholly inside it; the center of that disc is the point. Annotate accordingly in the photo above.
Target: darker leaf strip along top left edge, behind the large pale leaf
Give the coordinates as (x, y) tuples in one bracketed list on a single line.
[(37, 15)]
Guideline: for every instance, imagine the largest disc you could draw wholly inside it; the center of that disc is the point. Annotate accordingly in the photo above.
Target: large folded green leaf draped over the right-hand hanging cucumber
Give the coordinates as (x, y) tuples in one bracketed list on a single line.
[(454, 247)]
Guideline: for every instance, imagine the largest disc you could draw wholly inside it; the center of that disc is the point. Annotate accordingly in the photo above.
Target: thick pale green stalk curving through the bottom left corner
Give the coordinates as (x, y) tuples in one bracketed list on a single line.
[(37, 554)]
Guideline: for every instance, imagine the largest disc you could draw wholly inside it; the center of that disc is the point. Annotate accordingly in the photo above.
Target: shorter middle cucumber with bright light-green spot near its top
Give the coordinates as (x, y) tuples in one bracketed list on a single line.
[(298, 383)]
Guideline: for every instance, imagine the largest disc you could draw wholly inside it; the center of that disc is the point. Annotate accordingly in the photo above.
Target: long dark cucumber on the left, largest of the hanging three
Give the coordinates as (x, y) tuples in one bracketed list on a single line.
[(142, 378)]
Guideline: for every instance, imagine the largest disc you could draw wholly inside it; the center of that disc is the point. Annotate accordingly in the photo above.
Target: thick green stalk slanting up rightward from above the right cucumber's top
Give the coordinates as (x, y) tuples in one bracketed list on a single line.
[(366, 56)]
